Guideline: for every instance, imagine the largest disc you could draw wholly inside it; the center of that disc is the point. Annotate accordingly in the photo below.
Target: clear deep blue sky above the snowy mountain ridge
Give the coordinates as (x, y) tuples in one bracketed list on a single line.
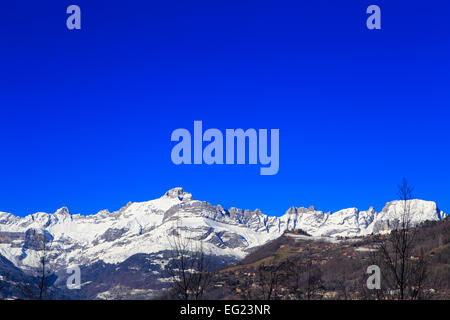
[(86, 116)]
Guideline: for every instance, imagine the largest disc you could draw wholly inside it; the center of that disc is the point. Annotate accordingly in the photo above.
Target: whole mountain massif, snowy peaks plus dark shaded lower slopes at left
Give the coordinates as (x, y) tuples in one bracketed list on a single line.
[(126, 254)]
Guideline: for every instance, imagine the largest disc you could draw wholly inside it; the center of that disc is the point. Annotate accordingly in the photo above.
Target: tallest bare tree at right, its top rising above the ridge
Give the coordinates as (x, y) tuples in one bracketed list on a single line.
[(403, 270)]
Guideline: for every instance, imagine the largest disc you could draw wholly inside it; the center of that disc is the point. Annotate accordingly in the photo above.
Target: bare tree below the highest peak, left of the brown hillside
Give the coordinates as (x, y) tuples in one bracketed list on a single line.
[(189, 266)]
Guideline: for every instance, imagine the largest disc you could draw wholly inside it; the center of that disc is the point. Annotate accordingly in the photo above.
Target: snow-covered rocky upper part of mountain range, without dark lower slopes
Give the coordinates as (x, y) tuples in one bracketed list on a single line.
[(146, 228)]
